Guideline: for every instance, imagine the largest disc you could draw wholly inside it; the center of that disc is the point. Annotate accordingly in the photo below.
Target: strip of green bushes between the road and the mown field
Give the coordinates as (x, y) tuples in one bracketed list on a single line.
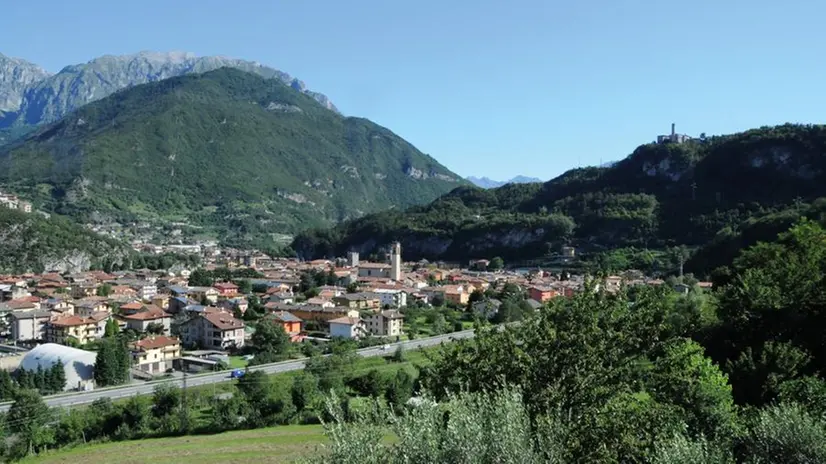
[(252, 402)]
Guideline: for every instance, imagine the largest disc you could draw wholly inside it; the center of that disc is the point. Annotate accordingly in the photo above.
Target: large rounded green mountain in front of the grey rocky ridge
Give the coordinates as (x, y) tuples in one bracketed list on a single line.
[(227, 150)]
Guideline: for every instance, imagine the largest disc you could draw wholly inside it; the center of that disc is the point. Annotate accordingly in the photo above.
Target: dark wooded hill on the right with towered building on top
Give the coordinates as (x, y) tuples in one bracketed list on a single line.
[(695, 193)]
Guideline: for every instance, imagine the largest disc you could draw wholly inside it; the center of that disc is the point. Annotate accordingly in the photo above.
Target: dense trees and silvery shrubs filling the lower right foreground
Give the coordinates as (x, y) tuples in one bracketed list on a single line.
[(628, 378)]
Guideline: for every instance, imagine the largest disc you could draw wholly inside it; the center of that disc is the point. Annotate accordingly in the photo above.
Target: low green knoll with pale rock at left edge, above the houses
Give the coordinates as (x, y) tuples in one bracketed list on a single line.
[(32, 243)]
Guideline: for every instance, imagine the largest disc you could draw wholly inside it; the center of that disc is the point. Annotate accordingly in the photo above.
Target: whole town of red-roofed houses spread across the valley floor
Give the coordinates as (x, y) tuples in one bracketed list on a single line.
[(169, 314)]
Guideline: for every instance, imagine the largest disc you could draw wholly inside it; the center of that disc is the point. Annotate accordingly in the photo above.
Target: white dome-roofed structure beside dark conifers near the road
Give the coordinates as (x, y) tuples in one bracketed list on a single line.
[(78, 364)]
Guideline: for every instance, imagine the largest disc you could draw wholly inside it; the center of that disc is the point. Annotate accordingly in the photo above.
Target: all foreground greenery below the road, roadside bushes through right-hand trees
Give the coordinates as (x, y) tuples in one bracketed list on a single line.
[(636, 376)]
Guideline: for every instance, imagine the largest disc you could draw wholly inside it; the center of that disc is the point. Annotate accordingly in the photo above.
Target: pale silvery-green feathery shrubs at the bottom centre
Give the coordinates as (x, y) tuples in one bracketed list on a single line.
[(477, 428)]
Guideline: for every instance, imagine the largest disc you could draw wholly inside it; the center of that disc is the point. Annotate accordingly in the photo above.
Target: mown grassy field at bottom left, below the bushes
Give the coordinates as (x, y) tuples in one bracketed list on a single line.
[(275, 444)]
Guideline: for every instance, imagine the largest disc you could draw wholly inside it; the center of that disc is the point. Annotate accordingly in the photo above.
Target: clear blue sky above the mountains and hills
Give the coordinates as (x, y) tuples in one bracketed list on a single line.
[(487, 87)]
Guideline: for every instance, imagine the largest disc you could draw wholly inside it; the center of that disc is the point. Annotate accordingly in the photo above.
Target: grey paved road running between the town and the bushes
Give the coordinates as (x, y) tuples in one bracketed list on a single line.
[(79, 398)]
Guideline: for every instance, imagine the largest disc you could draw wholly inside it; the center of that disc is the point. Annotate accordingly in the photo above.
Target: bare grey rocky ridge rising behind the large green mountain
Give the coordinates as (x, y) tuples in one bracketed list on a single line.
[(30, 96)]
